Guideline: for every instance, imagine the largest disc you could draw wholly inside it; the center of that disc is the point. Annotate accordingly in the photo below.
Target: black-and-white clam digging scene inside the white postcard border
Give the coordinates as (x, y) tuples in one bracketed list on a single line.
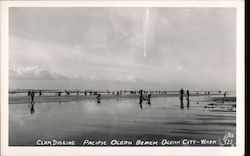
[(134, 76)]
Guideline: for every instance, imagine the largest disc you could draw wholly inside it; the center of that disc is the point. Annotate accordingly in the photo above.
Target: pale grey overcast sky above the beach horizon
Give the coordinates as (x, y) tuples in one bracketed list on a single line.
[(103, 48)]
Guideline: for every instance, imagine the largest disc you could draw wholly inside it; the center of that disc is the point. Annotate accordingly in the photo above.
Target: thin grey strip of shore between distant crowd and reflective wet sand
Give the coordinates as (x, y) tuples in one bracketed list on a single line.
[(47, 99)]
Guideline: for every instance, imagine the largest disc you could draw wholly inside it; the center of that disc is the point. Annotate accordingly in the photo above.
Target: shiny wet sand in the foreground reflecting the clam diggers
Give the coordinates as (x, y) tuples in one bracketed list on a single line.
[(122, 118)]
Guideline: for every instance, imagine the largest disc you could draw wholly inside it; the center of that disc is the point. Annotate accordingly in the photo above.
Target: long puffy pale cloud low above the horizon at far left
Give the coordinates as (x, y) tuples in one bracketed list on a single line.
[(34, 73)]
